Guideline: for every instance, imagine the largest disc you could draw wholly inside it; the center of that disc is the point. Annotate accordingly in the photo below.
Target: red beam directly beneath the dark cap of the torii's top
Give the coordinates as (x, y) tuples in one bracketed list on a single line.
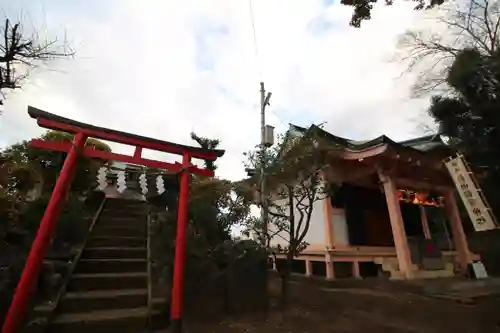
[(42, 122)]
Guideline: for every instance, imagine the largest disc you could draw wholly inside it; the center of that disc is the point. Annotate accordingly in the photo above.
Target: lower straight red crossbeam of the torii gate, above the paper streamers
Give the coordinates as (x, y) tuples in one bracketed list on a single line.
[(94, 153)]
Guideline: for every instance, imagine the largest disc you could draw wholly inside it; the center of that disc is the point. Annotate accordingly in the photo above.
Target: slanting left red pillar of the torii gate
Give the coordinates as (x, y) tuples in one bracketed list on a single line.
[(29, 277)]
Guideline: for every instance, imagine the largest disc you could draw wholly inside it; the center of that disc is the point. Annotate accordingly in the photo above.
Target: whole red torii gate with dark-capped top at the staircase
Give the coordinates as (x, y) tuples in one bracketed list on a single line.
[(77, 148)]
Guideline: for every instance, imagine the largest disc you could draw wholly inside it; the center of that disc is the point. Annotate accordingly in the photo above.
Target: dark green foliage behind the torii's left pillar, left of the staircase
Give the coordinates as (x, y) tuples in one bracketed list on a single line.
[(21, 168)]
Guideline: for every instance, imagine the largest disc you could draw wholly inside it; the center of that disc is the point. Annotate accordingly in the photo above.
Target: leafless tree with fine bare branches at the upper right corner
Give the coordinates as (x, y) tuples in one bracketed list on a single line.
[(430, 54)]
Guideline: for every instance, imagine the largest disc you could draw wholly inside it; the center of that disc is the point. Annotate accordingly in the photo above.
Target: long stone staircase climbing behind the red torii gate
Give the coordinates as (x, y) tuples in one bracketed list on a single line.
[(108, 291)]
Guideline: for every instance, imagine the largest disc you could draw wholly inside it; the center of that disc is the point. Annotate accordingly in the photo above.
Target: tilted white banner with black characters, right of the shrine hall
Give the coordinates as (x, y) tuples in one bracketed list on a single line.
[(479, 213)]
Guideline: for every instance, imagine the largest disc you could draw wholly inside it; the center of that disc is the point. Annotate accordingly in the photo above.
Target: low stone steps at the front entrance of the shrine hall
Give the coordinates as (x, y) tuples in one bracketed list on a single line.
[(391, 266)]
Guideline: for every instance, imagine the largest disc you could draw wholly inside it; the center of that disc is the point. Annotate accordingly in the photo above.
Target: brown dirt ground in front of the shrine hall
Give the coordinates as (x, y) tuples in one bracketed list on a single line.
[(363, 308)]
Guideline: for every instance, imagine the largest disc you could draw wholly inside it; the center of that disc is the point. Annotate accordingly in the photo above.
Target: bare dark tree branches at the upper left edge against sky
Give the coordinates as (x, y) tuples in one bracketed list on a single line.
[(20, 52)]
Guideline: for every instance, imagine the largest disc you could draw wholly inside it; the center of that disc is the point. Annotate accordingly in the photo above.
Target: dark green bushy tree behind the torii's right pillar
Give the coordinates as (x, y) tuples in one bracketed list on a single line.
[(215, 207)]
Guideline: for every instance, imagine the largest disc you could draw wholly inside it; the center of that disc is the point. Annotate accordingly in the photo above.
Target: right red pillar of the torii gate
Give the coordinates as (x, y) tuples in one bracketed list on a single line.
[(180, 247)]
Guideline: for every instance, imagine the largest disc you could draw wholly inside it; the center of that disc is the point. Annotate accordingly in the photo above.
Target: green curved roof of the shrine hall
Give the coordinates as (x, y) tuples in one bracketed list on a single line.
[(421, 144)]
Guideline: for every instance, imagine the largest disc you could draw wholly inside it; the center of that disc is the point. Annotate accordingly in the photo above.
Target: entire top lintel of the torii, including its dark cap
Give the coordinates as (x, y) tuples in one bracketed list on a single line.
[(54, 122)]
